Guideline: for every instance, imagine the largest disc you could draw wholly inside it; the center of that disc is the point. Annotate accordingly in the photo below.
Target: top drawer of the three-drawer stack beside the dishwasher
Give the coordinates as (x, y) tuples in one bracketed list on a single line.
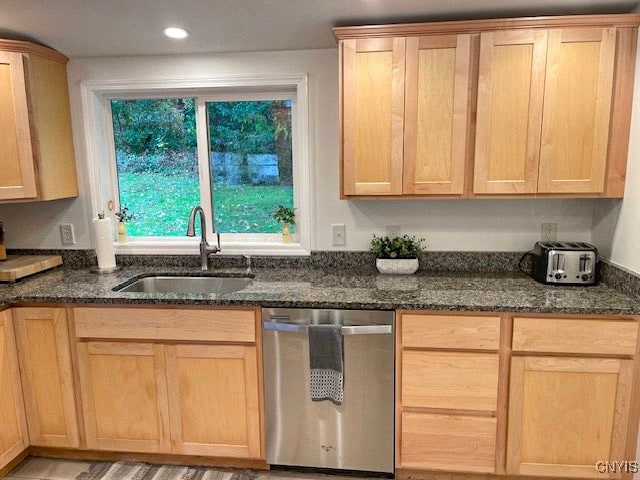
[(447, 331)]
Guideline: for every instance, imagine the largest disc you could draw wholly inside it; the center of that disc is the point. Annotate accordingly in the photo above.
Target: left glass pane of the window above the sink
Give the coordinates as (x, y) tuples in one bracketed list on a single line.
[(157, 163)]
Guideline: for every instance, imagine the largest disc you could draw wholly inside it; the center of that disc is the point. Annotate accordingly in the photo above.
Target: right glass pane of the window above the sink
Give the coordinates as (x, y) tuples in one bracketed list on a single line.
[(251, 167)]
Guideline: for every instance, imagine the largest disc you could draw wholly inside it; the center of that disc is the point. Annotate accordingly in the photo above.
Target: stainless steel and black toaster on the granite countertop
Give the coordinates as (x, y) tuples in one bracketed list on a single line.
[(566, 263)]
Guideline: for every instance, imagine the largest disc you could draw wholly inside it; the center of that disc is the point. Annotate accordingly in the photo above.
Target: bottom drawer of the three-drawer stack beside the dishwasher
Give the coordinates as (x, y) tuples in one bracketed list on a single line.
[(448, 442)]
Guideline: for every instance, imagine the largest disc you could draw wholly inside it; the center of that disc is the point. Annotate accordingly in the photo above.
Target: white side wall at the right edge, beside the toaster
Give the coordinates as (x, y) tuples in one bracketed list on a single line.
[(616, 224)]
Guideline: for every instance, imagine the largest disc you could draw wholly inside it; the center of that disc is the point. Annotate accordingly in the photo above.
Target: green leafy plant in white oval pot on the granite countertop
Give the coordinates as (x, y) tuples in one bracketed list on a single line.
[(396, 255)]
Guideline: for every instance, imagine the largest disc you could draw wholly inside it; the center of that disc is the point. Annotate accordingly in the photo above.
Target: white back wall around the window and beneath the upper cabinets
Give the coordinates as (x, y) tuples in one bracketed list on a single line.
[(445, 224)]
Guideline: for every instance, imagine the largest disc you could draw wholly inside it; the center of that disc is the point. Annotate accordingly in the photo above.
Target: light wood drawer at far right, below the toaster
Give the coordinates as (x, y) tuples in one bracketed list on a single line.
[(587, 336)]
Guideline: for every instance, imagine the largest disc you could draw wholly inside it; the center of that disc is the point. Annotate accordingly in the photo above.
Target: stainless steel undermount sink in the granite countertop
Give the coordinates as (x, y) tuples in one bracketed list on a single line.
[(185, 284)]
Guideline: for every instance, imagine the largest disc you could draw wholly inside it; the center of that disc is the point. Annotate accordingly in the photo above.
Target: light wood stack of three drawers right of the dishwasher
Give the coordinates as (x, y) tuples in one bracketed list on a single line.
[(448, 371)]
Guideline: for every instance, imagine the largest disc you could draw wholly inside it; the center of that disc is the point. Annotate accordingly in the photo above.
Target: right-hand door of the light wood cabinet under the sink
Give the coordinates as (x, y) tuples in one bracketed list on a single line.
[(214, 400)]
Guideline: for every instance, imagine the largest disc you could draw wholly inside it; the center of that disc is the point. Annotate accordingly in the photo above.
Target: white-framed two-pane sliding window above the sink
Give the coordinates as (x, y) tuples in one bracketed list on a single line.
[(238, 152)]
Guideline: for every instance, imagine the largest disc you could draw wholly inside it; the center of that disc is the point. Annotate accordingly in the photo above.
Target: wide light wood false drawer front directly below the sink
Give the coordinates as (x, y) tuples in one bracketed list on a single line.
[(166, 324)]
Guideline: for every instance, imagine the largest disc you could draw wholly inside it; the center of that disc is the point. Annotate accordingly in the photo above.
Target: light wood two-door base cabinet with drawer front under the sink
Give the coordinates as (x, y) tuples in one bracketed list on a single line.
[(181, 397)]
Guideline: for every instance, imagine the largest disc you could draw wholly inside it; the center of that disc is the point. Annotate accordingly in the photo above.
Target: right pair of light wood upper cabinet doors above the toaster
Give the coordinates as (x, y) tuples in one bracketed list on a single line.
[(544, 104)]
